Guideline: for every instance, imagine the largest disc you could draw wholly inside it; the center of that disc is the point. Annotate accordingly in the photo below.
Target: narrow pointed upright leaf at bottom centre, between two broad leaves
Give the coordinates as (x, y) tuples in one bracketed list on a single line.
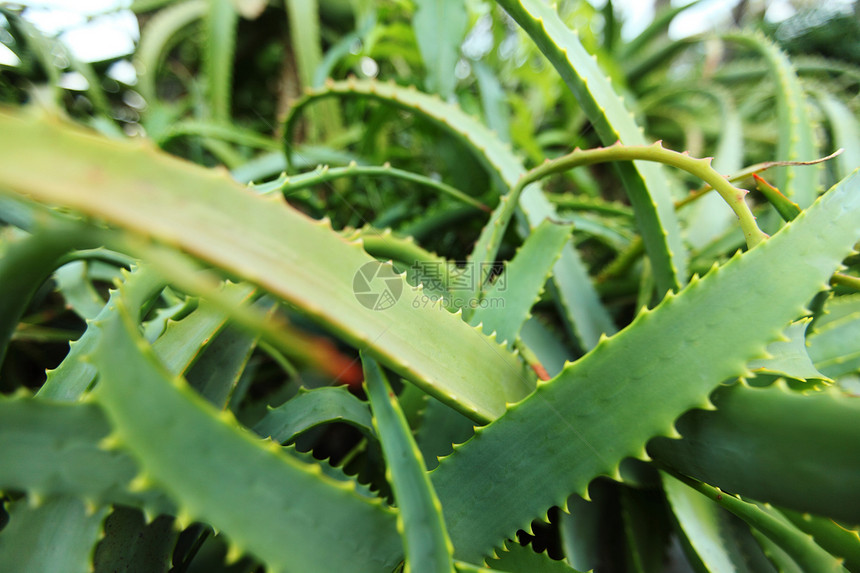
[(425, 541)]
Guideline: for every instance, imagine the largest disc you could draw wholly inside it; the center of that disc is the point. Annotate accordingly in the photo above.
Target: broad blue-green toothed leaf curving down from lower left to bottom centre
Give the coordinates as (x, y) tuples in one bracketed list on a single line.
[(284, 511)]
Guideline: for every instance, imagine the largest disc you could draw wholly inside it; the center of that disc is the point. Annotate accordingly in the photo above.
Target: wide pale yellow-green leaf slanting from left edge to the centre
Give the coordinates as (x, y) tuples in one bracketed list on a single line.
[(265, 241)]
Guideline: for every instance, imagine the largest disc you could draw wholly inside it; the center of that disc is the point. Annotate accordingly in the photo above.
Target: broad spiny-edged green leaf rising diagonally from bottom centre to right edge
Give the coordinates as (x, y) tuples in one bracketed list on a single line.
[(605, 406)]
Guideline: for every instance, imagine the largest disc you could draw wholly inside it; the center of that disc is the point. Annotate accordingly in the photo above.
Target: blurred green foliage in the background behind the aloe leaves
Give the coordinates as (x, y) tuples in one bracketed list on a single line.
[(215, 90)]
